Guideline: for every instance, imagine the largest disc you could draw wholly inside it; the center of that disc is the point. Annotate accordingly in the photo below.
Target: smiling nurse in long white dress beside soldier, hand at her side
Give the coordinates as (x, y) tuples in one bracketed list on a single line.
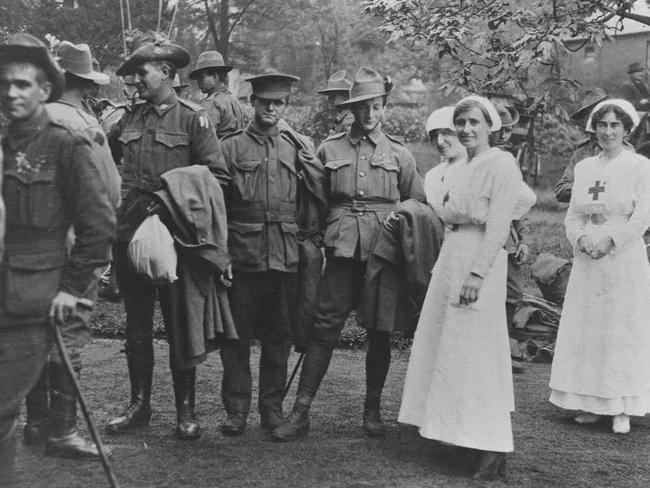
[(458, 386)]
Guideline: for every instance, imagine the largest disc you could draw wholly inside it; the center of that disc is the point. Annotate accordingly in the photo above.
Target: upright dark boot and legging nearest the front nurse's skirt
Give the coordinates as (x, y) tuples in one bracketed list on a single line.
[(377, 364)]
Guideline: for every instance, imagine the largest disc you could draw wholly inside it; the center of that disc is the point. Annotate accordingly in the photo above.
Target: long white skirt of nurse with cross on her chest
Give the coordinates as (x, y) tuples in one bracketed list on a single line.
[(602, 353)]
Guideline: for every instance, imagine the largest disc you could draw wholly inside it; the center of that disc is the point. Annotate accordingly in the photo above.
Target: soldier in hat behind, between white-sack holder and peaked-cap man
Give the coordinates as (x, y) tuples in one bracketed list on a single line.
[(222, 107)]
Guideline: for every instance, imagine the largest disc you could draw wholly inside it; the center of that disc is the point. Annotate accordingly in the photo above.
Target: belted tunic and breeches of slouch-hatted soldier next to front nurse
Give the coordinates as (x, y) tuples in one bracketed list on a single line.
[(367, 176)]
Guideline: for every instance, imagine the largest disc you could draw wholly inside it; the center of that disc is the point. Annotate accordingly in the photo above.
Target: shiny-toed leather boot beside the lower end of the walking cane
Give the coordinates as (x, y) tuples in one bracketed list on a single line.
[(65, 440)]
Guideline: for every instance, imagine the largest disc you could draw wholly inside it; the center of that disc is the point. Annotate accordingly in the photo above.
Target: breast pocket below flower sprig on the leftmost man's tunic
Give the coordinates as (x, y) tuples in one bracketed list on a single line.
[(33, 200)]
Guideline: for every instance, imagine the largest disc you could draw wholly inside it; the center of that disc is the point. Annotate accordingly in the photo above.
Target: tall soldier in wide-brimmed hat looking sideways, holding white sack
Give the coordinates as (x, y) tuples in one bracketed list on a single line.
[(161, 134)]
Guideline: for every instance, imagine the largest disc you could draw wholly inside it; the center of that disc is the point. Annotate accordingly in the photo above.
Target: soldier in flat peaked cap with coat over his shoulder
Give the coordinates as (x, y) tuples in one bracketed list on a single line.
[(262, 202)]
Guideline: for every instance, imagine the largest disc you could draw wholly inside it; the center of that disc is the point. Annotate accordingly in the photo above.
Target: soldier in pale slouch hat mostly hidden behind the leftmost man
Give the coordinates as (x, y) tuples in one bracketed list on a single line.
[(51, 405)]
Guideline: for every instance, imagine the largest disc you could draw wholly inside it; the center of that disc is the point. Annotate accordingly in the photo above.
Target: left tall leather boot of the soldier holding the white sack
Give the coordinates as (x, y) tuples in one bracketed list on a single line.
[(139, 356)]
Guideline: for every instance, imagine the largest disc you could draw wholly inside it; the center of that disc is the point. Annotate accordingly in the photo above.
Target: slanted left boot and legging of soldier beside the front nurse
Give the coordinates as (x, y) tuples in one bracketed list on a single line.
[(296, 425)]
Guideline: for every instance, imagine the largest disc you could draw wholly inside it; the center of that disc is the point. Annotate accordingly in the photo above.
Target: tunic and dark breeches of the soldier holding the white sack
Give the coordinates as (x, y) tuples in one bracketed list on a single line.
[(149, 141)]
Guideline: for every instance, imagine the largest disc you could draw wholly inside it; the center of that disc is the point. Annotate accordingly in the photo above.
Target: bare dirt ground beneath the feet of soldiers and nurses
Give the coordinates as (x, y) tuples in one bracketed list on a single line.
[(551, 450)]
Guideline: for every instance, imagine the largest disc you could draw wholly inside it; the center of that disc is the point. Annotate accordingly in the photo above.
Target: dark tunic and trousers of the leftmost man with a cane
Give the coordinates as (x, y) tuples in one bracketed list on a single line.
[(51, 182)]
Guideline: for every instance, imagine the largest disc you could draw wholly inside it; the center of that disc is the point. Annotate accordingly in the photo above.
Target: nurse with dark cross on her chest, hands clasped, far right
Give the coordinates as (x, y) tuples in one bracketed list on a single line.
[(602, 362)]
